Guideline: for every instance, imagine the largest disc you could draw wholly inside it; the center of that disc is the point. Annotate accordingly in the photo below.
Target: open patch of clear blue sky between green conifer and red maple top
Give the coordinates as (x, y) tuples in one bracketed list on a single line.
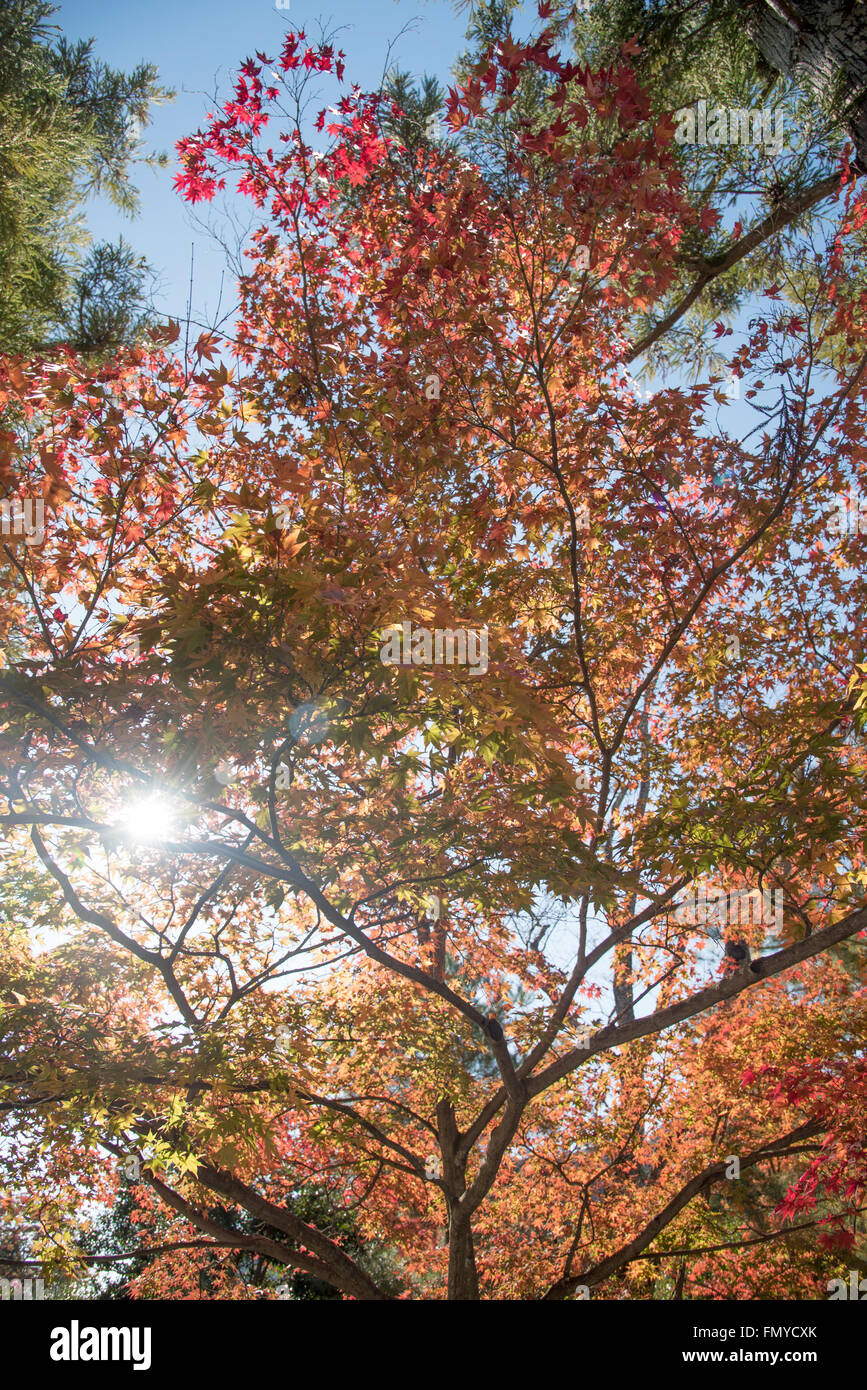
[(198, 47)]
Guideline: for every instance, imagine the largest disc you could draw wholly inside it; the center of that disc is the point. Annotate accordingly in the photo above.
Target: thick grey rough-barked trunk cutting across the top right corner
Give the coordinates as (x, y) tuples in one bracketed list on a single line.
[(823, 45)]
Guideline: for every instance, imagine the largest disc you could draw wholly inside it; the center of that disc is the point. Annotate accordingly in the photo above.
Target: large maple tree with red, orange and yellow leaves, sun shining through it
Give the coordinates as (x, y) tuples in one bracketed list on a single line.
[(287, 919)]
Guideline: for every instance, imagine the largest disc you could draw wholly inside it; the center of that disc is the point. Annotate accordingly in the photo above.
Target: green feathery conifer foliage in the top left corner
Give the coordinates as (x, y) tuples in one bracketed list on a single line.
[(69, 127)]
